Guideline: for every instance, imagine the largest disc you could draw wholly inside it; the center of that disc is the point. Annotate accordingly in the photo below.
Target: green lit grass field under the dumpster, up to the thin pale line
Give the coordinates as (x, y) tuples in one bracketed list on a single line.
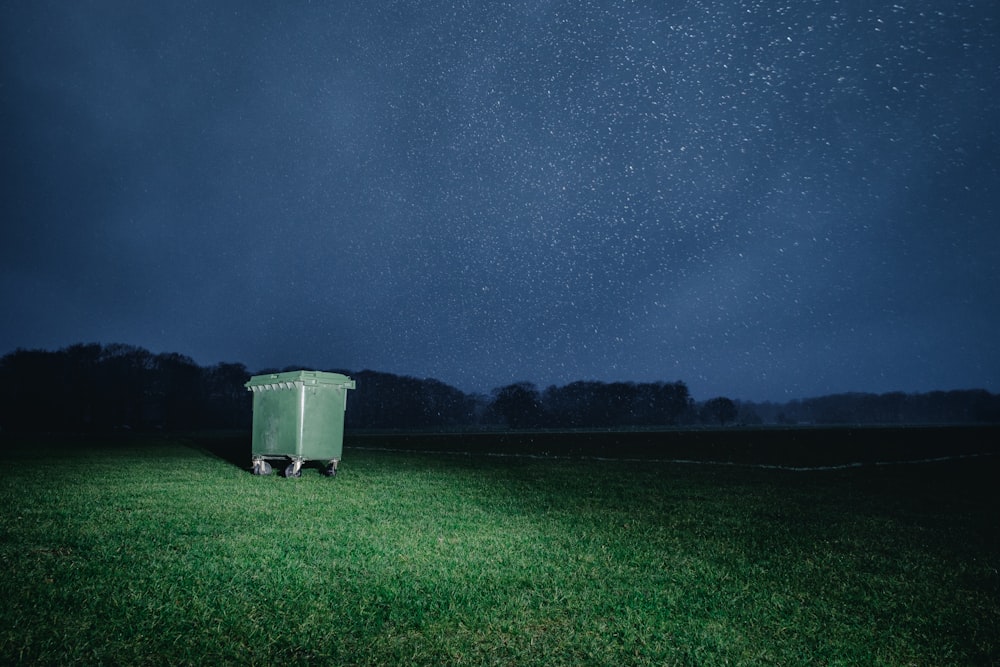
[(161, 553)]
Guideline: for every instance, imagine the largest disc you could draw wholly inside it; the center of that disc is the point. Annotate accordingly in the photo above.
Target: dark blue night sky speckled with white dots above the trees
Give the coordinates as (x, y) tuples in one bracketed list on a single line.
[(765, 200)]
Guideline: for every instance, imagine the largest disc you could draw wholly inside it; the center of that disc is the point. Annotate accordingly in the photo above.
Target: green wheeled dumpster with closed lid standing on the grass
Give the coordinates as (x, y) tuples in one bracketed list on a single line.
[(298, 416)]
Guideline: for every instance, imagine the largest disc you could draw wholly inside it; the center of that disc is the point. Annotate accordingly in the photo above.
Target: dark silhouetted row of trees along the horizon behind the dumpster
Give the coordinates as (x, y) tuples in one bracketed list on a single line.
[(94, 387)]
